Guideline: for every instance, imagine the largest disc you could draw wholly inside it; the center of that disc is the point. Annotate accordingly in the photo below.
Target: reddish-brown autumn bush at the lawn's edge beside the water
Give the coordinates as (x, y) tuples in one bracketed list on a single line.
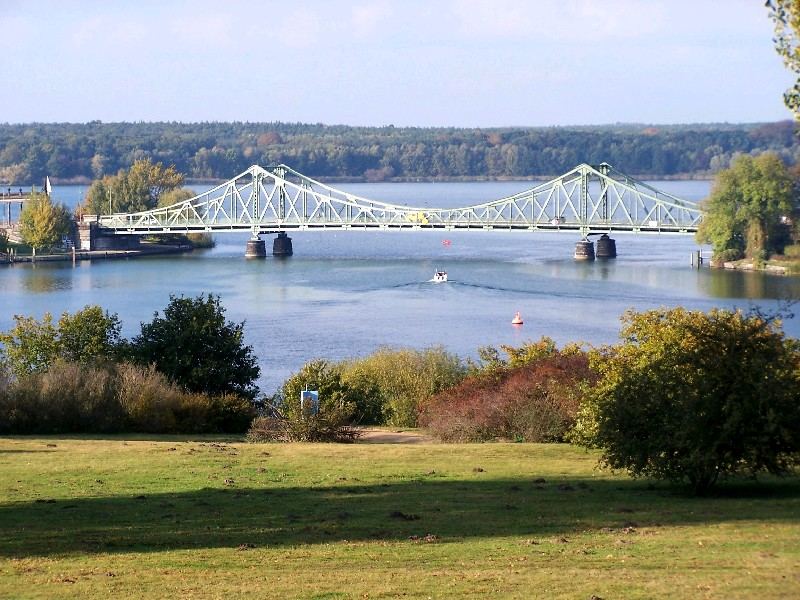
[(536, 401)]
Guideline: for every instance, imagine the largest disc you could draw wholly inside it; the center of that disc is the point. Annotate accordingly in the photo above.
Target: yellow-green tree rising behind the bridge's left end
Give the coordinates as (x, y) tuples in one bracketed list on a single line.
[(136, 189)]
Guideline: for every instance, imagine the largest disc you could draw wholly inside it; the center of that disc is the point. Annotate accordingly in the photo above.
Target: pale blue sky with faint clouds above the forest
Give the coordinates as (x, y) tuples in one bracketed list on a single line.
[(464, 63)]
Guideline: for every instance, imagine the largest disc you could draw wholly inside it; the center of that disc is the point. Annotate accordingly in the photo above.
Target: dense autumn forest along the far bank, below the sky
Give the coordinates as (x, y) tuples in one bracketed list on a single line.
[(216, 150)]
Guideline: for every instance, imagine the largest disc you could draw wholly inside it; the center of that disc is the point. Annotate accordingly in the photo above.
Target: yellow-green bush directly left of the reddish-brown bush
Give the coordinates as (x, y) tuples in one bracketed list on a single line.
[(404, 379)]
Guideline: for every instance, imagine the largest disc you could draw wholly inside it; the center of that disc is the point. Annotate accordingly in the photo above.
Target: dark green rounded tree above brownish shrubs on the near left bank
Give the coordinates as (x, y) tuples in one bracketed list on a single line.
[(197, 348)]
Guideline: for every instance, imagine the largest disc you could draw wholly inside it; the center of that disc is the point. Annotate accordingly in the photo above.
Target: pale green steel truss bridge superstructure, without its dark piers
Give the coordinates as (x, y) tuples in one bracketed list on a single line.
[(267, 200)]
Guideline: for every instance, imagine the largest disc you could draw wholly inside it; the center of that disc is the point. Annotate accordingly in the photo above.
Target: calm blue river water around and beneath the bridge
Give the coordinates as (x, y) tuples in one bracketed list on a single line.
[(344, 294)]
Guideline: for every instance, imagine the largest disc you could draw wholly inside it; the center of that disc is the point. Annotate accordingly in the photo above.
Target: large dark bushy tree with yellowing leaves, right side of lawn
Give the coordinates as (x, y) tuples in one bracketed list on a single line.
[(689, 396)]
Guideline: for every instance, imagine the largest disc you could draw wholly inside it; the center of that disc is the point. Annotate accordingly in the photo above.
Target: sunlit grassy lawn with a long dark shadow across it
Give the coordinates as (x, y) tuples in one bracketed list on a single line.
[(209, 518)]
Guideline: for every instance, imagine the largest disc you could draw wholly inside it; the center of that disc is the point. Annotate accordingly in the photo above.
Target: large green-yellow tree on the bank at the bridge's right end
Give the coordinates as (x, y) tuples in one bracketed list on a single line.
[(747, 209)]
